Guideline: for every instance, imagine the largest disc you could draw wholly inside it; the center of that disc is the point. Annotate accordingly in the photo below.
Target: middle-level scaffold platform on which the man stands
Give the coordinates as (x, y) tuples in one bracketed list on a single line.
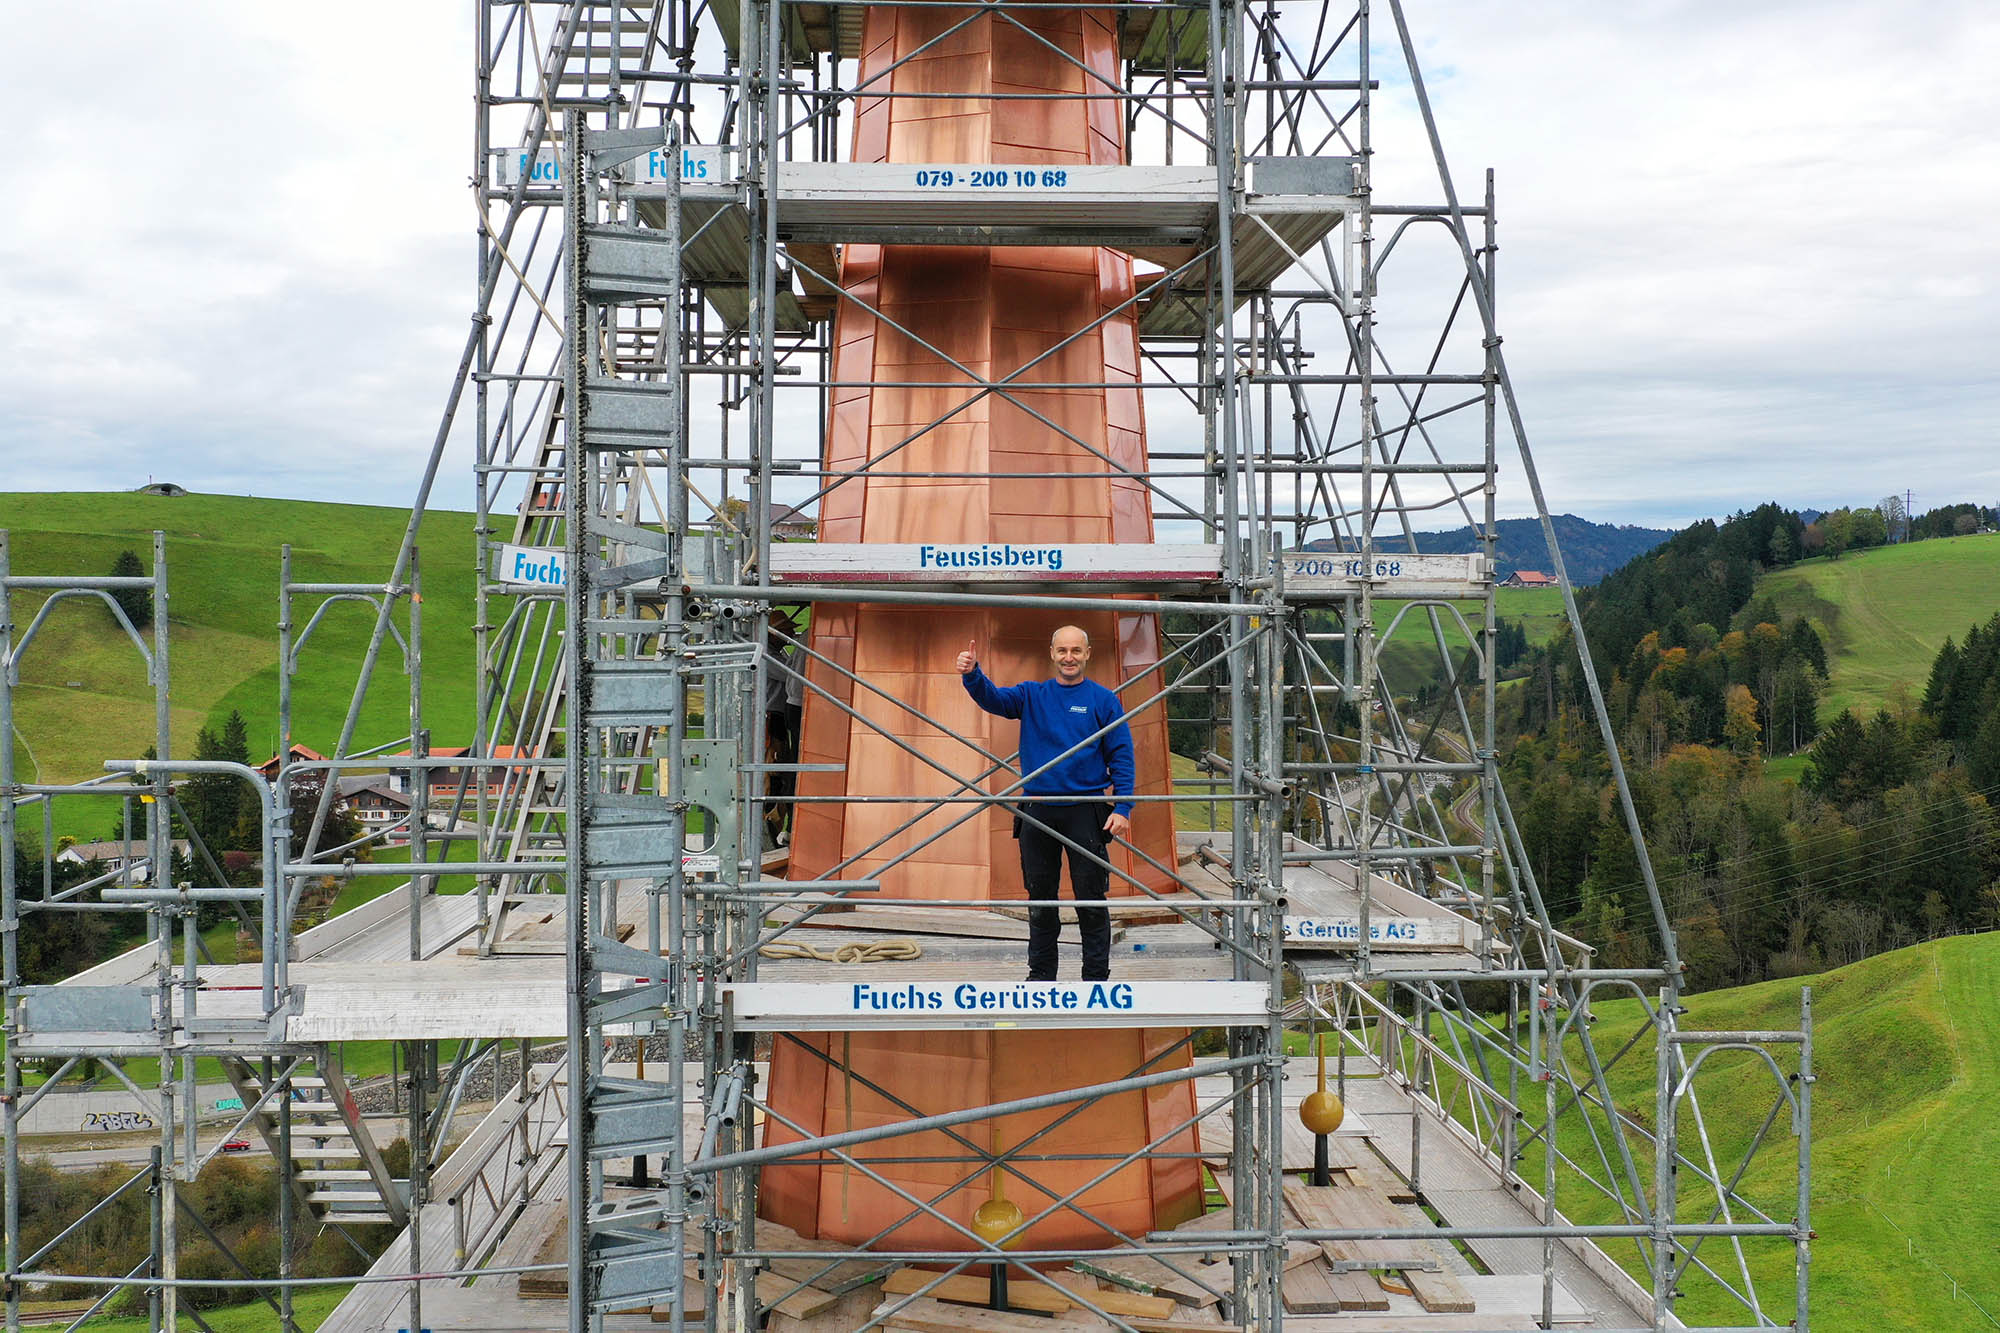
[(355, 982)]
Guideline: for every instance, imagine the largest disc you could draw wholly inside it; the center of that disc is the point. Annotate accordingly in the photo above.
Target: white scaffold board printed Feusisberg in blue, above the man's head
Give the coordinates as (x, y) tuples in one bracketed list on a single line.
[(947, 563)]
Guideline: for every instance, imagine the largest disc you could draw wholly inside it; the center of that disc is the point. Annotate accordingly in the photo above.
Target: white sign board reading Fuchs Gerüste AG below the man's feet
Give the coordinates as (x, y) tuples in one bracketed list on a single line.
[(993, 1004)]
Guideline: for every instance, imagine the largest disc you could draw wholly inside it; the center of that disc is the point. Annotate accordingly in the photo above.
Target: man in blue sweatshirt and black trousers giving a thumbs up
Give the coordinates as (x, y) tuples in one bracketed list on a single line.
[(1057, 718)]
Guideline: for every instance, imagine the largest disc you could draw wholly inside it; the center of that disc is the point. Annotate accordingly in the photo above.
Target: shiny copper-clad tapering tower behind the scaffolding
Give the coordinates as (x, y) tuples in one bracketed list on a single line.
[(991, 313)]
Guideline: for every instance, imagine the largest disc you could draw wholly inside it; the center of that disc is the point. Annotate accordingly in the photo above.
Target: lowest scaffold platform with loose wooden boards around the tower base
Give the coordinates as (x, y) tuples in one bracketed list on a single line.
[(509, 1210)]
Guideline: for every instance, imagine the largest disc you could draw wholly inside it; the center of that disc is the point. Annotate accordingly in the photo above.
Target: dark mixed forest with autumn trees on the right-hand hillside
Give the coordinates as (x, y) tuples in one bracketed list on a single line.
[(1889, 838)]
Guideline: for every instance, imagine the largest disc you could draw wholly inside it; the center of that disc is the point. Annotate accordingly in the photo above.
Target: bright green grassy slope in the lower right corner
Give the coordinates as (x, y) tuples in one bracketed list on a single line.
[(1907, 1050)]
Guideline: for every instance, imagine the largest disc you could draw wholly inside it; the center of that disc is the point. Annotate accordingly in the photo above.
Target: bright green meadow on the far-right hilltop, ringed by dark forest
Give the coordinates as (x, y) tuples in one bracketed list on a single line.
[(1885, 613)]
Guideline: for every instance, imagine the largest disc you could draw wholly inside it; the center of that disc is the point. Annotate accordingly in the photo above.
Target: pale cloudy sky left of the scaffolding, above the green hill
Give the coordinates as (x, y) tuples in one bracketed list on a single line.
[(241, 257)]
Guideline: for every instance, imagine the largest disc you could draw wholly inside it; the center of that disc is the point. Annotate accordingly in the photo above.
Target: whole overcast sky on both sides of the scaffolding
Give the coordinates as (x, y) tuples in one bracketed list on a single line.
[(1747, 251)]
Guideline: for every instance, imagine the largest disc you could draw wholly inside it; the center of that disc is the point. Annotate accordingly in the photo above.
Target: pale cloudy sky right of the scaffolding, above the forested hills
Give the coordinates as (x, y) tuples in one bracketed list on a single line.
[(1747, 253)]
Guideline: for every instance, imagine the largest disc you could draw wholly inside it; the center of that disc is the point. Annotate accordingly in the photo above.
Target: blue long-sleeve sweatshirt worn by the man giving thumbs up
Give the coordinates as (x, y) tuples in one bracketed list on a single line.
[(1053, 720)]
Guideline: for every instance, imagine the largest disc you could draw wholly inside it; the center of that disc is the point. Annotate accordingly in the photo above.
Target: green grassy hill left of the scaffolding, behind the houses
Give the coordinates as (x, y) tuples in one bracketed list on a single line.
[(85, 694)]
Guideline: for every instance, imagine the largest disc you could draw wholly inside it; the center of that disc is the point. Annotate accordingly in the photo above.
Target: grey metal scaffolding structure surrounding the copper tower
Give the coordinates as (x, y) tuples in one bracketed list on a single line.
[(665, 195)]
